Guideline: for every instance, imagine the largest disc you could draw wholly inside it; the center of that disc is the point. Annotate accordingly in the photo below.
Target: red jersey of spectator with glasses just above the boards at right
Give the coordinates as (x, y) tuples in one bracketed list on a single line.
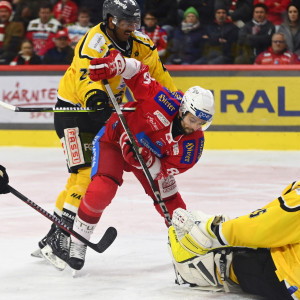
[(270, 58)]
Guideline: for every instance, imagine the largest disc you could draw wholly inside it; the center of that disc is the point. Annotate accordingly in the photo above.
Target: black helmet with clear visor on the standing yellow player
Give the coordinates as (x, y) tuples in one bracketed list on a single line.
[(127, 10)]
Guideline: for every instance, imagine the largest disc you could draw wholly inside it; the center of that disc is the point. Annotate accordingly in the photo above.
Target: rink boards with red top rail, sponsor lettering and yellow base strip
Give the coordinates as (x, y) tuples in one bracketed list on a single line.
[(256, 107)]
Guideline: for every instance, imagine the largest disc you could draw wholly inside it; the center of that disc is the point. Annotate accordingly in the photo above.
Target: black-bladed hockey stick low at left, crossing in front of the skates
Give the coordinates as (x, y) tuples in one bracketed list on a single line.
[(106, 240)]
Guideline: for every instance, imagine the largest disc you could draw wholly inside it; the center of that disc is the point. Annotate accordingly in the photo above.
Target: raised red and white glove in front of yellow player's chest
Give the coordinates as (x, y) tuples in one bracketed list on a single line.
[(107, 67)]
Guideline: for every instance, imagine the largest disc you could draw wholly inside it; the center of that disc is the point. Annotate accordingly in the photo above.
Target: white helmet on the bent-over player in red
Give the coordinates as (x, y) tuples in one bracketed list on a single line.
[(199, 102)]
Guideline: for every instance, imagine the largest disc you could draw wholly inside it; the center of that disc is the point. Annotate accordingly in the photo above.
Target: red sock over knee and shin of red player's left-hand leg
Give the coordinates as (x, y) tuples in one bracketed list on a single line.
[(98, 196)]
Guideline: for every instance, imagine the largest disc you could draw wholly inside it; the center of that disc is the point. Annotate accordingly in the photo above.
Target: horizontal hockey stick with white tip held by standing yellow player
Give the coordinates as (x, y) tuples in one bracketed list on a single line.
[(52, 109)]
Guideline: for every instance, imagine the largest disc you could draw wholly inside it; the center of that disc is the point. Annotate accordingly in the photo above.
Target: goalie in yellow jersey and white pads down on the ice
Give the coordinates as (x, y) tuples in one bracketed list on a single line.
[(258, 253)]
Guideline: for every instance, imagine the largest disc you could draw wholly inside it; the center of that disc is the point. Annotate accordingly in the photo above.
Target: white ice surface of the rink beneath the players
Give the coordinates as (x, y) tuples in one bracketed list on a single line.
[(137, 265)]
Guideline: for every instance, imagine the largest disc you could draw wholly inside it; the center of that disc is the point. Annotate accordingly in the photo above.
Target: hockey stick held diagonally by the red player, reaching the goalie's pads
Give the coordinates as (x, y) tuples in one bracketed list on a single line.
[(136, 150)]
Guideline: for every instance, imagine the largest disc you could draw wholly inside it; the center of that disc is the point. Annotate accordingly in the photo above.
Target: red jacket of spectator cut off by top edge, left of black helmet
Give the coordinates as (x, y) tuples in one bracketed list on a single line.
[(65, 11)]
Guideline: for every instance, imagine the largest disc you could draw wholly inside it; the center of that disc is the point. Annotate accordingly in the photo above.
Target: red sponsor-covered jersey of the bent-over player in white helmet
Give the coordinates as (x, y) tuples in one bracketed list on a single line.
[(151, 124)]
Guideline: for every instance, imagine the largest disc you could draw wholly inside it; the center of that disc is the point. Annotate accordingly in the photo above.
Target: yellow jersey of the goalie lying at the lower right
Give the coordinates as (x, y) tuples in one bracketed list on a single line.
[(275, 226)]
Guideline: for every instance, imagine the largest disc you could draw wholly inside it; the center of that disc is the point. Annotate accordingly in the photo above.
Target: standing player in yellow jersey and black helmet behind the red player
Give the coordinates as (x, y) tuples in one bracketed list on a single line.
[(121, 19)]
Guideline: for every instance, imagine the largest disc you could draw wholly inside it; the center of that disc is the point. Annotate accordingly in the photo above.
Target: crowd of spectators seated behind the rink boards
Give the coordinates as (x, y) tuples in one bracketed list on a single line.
[(184, 31)]
